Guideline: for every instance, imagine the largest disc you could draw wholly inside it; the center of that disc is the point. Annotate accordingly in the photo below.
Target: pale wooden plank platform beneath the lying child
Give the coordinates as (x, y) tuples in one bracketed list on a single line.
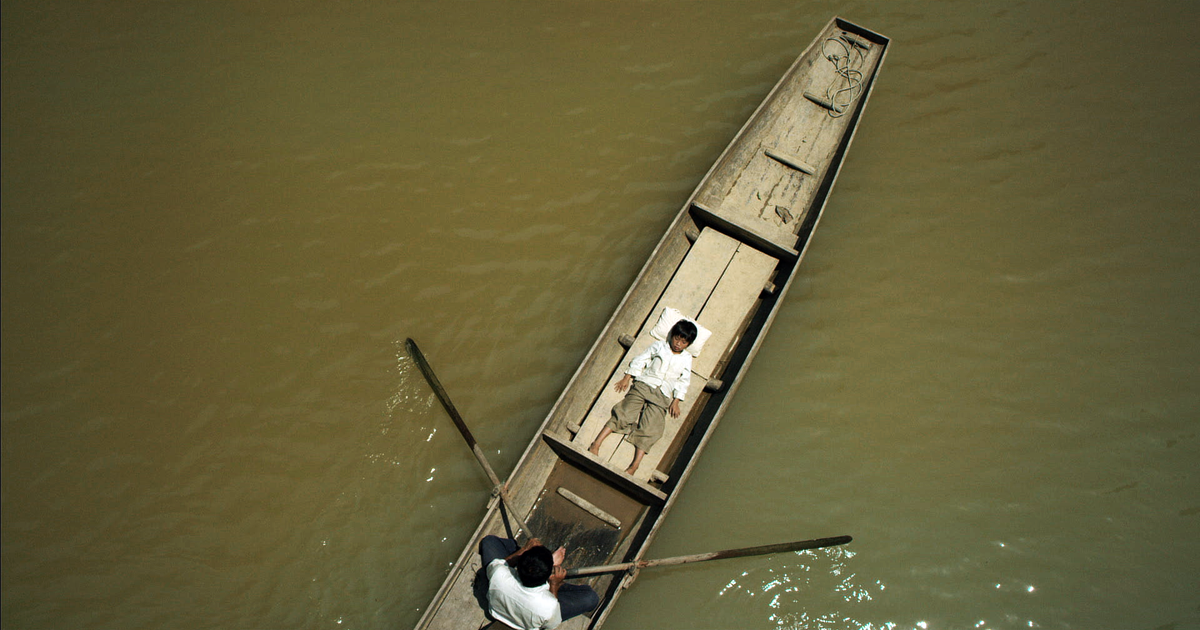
[(718, 285)]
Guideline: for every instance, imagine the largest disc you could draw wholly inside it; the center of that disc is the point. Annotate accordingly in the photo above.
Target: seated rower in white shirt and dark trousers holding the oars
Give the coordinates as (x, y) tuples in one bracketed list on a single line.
[(526, 587)]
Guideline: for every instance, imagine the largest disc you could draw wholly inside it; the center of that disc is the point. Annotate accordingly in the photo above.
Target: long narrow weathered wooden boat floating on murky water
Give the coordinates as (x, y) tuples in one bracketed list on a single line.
[(727, 262)]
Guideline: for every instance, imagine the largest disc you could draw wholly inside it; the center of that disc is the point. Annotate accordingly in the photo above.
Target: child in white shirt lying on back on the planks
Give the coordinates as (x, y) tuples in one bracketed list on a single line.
[(658, 383)]
